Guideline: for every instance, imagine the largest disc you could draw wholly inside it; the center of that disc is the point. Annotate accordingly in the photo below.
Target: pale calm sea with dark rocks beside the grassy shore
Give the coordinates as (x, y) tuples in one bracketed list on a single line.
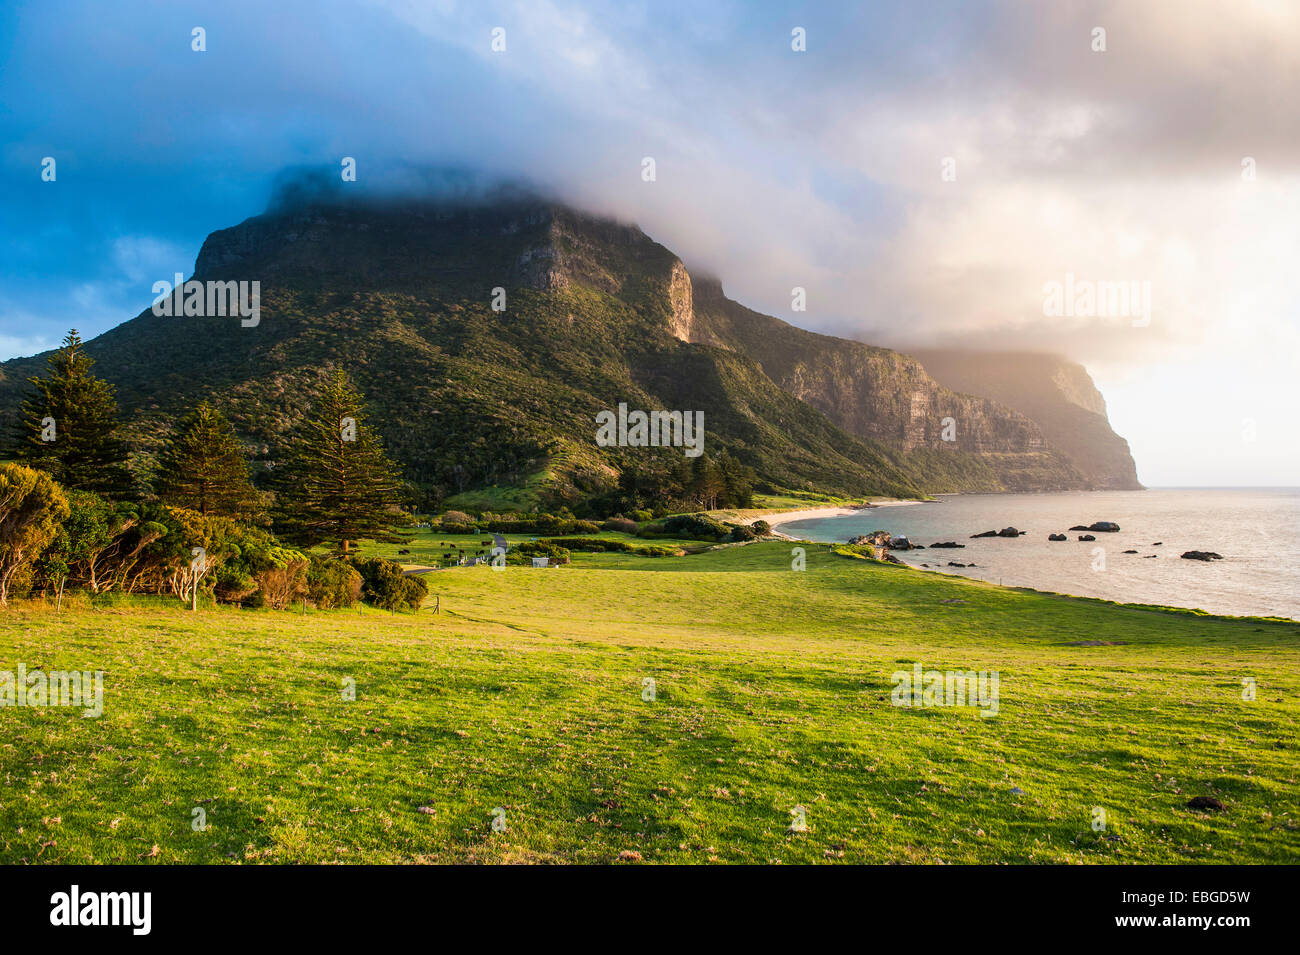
[(1258, 531)]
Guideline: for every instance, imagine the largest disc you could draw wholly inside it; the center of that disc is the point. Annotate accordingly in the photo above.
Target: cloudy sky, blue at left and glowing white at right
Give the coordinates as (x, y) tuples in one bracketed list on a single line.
[(925, 172)]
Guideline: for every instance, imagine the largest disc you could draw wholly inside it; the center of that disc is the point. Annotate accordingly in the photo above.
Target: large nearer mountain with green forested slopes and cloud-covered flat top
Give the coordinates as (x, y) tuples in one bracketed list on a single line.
[(597, 314)]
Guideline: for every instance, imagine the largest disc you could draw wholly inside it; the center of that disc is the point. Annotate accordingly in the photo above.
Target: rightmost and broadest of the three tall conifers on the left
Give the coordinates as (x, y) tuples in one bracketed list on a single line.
[(337, 485)]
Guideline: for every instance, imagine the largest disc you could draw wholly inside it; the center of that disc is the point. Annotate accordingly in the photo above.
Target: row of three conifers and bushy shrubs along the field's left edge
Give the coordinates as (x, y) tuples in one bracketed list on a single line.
[(71, 511)]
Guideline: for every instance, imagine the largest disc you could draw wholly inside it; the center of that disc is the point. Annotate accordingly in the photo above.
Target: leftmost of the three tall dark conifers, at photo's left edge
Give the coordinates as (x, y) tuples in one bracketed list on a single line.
[(70, 426)]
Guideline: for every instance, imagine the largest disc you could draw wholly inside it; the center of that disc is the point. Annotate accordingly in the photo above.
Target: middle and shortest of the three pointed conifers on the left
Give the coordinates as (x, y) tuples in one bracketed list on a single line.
[(203, 468)]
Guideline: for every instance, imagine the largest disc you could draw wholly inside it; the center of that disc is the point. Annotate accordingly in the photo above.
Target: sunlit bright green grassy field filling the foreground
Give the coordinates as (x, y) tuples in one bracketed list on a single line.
[(522, 701)]
